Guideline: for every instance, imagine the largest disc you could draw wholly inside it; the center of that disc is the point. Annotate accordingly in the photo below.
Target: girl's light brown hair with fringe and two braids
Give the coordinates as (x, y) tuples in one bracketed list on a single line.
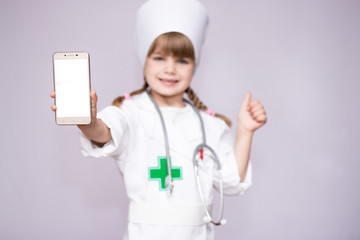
[(178, 45)]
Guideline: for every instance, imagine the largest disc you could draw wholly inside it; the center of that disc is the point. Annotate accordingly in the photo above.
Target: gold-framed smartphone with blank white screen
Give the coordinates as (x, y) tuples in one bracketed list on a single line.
[(72, 88)]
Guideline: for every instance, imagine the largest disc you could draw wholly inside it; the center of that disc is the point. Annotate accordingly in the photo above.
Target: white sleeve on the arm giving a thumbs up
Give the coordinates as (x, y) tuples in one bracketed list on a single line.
[(229, 167)]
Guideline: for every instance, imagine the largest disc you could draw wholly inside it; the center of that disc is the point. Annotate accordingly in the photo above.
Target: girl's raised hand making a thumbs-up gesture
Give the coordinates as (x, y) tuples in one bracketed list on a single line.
[(251, 114)]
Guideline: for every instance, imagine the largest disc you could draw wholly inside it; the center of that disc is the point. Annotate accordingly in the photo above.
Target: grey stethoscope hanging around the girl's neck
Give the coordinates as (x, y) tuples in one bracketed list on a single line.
[(199, 151)]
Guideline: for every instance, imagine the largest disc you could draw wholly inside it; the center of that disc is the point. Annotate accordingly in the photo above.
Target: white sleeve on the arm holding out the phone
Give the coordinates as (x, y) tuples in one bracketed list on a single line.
[(116, 121)]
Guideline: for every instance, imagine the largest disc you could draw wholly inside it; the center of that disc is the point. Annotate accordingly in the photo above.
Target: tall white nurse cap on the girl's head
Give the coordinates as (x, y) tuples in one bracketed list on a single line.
[(156, 17)]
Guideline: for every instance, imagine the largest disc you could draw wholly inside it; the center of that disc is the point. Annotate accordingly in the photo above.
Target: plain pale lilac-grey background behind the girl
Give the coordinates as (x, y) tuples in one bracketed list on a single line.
[(300, 58)]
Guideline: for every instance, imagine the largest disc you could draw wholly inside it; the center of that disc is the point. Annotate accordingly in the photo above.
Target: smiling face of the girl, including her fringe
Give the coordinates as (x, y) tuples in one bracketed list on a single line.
[(169, 68)]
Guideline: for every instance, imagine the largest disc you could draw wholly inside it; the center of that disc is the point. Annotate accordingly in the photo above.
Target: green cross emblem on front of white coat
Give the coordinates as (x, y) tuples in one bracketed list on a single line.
[(160, 172)]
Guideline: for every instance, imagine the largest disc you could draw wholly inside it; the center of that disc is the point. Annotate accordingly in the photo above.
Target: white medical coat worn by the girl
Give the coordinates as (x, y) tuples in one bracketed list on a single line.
[(137, 145)]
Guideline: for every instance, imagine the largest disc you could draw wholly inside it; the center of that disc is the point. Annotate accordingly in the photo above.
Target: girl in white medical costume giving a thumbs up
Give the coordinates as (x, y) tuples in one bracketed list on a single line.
[(131, 131)]
